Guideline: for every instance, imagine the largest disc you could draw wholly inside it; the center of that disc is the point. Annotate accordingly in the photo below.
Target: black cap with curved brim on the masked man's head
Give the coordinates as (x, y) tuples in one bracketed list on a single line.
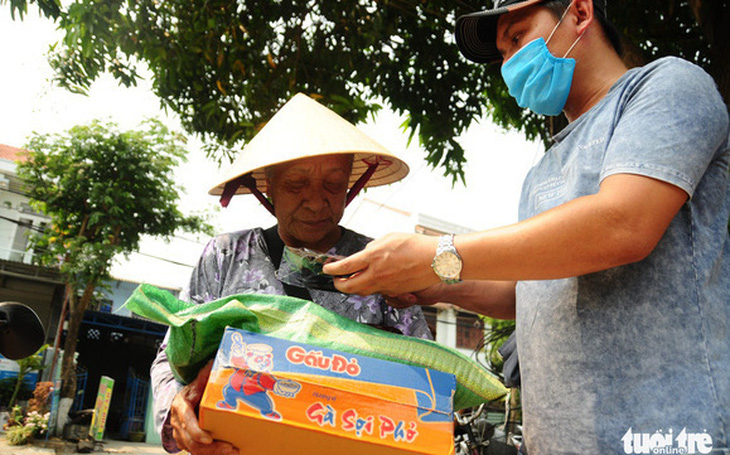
[(476, 33)]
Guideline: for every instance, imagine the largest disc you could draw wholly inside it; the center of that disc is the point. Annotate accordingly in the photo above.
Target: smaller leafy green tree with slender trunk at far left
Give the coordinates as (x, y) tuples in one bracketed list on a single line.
[(102, 190)]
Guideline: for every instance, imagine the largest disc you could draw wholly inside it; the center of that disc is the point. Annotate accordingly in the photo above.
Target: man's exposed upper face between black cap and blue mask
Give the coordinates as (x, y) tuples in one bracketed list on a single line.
[(518, 28)]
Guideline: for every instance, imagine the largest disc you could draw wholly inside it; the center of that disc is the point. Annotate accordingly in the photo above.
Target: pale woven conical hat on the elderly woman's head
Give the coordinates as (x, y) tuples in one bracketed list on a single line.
[(304, 128)]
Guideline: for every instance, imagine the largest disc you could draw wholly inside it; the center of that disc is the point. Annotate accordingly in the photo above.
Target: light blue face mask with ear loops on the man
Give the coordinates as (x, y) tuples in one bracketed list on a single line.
[(537, 79)]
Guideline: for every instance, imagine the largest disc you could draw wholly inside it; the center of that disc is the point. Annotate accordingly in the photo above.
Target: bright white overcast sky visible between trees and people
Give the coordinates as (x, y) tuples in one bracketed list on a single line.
[(497, 161)]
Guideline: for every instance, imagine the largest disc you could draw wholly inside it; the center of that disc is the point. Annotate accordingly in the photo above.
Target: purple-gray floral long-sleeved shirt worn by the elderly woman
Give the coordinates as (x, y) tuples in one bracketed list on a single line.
[(239, 263)]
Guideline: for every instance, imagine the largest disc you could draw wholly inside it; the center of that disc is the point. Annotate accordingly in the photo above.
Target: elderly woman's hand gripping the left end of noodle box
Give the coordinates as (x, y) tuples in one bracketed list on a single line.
[(184, 420)]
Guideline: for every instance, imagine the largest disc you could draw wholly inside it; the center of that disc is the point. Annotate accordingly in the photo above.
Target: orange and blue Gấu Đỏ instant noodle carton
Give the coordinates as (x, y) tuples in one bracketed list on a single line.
[(267, 395)]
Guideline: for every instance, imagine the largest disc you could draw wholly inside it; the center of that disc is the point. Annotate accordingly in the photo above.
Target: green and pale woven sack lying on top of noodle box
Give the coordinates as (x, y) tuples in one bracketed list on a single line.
[(196, 332)]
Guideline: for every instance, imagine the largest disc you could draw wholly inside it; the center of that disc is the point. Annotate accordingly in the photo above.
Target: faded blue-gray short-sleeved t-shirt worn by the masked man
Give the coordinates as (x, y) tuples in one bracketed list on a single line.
[(611, 358)]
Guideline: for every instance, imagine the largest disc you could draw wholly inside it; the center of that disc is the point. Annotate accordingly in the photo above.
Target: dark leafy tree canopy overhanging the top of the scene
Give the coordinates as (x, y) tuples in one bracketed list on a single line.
[(225, 67)]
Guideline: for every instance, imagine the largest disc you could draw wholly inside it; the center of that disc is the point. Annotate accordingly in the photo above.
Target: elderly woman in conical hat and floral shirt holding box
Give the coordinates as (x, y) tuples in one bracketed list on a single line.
[(310, 163)]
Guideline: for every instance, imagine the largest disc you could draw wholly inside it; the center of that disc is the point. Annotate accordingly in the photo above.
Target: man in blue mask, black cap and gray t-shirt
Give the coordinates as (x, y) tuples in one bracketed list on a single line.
[(618, 272)]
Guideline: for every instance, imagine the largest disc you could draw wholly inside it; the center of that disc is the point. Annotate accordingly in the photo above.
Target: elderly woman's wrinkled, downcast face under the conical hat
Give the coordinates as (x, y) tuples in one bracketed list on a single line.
[(309, 199)]
